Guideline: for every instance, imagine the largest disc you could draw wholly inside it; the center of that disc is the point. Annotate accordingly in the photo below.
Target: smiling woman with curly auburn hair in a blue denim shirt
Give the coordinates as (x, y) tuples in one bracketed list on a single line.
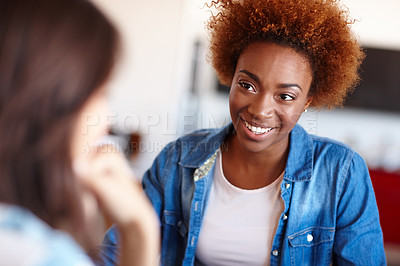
[(262, 191)]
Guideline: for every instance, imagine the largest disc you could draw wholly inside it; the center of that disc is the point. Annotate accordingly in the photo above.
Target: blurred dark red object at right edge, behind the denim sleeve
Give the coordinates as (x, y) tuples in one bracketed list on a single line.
[(387, 192)]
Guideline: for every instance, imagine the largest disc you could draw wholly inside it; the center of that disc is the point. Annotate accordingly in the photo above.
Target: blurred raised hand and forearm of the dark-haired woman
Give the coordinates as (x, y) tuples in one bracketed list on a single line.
[(107, 175)]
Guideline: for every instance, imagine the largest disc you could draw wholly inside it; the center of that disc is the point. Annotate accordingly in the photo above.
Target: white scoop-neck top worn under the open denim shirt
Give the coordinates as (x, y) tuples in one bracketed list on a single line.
[(238, 225)]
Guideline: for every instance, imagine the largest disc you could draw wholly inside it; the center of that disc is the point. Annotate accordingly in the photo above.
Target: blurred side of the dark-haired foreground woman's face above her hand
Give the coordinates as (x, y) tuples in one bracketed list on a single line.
[(91, 124)]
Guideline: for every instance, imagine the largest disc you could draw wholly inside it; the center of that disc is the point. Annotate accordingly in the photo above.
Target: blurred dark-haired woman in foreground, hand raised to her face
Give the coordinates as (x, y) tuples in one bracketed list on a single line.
[(55, 60)]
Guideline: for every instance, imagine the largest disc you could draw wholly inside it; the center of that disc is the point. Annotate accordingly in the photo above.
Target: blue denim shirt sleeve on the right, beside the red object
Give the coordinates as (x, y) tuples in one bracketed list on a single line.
[(358, 237)]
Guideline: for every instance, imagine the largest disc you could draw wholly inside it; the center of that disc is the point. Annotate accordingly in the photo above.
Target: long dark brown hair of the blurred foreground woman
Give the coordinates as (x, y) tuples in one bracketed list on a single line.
[(54, 54)]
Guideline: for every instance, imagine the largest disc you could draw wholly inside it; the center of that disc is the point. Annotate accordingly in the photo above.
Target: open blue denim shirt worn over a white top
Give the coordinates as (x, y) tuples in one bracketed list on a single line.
[(330, 212)]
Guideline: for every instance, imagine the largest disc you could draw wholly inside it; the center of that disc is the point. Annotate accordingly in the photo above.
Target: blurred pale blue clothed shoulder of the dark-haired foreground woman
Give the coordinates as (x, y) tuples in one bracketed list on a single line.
[(26, 240)]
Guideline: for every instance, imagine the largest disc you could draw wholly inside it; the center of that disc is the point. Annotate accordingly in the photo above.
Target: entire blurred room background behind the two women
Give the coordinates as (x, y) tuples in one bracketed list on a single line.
[(164, 87)]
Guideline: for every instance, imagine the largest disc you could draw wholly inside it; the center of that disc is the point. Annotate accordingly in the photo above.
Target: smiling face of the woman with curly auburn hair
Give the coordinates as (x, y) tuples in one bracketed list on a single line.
[(269, 93)]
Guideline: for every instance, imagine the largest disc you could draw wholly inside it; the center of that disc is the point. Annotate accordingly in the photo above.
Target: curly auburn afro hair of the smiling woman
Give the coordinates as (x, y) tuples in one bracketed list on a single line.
[(319, 29)]
